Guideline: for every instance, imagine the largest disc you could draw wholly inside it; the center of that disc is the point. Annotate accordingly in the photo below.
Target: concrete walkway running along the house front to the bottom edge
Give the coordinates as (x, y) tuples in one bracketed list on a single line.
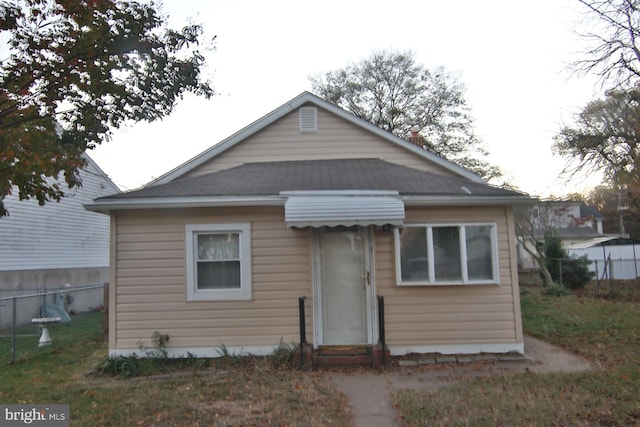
[(369, 393)]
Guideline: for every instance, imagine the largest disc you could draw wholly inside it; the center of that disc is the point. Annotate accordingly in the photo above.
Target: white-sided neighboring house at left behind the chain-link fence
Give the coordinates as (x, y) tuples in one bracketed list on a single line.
[(58, 243)]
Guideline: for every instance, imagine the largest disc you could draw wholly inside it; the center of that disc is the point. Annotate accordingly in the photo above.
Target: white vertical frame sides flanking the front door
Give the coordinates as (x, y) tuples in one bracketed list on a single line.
[(370, 289)]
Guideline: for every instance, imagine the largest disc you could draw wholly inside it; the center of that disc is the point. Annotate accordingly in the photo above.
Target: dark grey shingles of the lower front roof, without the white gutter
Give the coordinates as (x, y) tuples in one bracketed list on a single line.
[(270, 178)]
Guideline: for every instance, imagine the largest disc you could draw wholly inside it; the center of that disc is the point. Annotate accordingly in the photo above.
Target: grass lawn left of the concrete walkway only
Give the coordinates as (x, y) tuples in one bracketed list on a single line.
[(260, 393)]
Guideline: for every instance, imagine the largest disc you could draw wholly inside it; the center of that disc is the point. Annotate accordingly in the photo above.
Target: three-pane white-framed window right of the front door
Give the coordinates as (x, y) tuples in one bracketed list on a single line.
[(446, 254)]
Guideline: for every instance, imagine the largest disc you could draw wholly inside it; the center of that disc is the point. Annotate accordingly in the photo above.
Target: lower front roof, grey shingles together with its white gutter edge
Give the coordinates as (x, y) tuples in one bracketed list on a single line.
[(269, 183)]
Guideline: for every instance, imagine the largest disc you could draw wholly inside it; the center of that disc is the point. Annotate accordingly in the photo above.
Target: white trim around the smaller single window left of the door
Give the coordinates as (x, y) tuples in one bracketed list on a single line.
[(194, 294)]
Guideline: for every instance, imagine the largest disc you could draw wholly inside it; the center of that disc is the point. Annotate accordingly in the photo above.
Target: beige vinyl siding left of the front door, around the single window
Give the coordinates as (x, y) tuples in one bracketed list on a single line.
[(150, 289)]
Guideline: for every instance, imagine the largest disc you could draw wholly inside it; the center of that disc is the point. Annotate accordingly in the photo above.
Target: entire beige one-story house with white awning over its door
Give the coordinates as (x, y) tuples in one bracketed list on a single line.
[(312, 204)]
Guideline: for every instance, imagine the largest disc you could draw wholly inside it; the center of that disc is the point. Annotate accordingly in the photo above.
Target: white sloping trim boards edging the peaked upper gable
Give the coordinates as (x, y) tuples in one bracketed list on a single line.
[(304, 99)]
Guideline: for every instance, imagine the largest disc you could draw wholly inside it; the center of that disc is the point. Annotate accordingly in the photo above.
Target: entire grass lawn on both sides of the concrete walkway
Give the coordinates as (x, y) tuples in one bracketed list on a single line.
[(258, 391)]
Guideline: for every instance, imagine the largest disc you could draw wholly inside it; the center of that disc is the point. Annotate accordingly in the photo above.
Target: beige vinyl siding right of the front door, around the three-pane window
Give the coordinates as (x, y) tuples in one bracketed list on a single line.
[(450, 315)]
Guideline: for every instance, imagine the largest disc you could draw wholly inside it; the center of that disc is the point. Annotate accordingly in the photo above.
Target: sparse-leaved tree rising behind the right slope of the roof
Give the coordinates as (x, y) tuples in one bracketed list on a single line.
[(392, 91)]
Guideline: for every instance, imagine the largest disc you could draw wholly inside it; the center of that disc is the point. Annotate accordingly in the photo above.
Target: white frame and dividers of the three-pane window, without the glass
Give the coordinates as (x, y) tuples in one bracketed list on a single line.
[(463, 254)]
